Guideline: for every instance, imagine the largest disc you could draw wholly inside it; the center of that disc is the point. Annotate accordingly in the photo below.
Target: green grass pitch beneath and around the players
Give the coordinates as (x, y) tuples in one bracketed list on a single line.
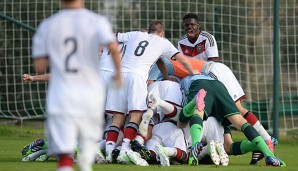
[(14, 137)]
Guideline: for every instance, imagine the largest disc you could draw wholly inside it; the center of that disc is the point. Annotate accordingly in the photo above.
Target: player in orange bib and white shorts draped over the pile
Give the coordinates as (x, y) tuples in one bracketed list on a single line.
[(224, 74)]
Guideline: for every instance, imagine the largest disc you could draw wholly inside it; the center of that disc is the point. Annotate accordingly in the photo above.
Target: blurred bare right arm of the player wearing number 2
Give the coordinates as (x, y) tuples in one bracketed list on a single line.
[(115, 54)]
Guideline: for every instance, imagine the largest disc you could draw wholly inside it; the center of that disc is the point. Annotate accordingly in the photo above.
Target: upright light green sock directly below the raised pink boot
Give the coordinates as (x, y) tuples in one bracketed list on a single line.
[(196, 128)]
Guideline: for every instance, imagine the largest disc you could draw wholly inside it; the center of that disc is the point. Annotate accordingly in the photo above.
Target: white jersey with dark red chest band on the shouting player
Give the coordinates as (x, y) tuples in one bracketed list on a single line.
[(205, 47)]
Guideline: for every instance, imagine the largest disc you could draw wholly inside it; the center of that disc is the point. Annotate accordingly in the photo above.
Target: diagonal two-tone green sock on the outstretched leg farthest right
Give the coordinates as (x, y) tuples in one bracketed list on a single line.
[(254, 137)]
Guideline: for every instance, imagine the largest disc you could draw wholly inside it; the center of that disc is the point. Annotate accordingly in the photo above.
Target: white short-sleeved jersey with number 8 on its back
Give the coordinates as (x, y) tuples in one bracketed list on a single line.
[(143, 50)]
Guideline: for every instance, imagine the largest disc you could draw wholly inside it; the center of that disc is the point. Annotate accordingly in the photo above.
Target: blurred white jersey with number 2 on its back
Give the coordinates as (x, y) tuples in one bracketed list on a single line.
[(74, 61)]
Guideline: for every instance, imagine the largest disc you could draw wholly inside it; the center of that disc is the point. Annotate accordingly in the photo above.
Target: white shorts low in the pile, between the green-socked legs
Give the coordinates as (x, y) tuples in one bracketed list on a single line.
[(212, 130)]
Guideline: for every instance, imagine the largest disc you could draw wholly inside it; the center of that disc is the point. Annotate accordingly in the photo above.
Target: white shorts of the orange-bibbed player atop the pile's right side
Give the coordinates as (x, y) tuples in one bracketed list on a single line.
[(224, 74)]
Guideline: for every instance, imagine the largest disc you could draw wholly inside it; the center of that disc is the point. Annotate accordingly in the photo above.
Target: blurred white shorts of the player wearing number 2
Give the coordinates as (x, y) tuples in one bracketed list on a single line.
[(64, 133)]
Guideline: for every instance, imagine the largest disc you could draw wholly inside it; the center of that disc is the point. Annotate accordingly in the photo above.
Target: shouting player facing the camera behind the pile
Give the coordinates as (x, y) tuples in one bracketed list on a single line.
[(197, 43)]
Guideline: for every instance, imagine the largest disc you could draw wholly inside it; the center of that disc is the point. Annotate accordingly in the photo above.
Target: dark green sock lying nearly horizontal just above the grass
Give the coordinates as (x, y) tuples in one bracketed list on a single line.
[(242, 147)]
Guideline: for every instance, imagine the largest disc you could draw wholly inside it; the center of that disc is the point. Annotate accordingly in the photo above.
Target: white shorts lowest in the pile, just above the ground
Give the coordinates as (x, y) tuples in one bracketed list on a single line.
[(166, 134)]
